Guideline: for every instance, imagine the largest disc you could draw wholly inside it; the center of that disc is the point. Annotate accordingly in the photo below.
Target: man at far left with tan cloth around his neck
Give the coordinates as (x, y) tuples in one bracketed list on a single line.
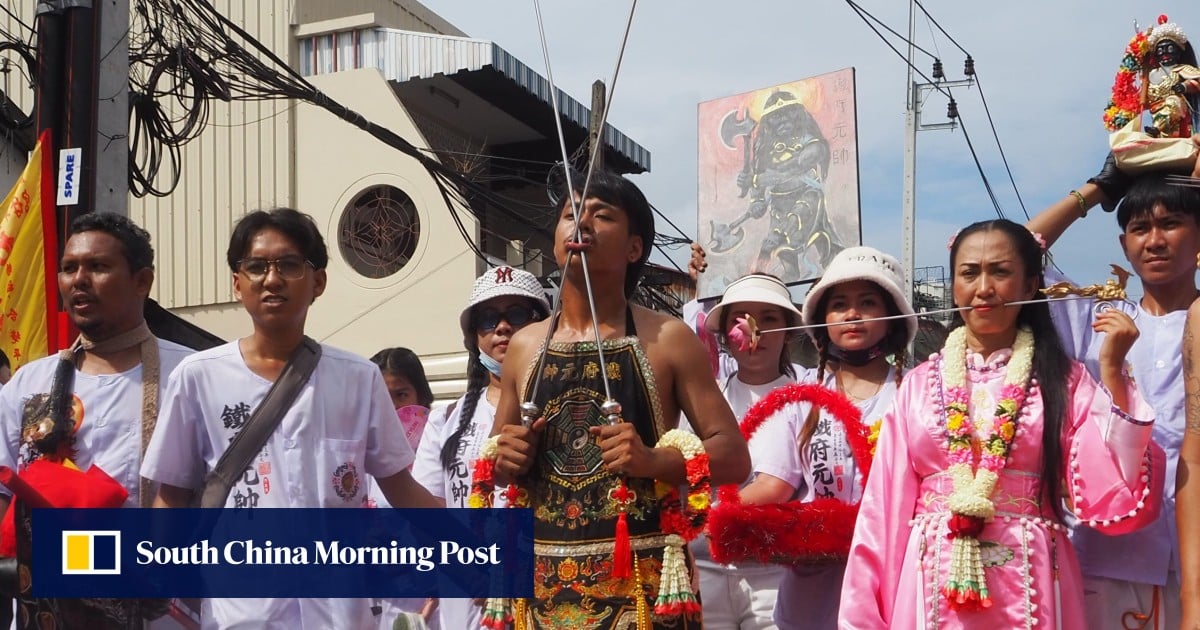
[(105, 277)]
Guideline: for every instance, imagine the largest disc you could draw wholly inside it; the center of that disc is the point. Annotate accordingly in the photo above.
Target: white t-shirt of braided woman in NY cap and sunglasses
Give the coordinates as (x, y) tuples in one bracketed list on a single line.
[(454, 485)]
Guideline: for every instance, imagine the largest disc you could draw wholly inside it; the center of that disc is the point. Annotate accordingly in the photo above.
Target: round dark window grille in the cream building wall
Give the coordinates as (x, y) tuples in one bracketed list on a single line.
[(379, 232)]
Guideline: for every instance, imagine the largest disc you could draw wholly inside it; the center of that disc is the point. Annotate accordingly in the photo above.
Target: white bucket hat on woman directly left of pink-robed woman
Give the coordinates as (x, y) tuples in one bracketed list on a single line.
[(863, 263)]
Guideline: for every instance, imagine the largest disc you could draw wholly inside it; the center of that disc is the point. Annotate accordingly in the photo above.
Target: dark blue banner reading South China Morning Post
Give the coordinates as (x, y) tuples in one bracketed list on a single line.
[(283, 554)]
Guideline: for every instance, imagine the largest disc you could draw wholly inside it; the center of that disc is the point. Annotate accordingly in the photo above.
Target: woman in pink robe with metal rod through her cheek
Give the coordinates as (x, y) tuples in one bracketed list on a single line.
[(1094, 437)]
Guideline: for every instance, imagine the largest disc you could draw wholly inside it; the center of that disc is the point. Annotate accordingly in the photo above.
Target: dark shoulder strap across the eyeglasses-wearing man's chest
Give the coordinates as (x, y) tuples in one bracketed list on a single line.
[(267, 417)]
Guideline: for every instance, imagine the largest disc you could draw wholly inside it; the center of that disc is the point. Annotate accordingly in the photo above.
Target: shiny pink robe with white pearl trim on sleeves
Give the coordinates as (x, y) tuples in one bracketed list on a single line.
[(1113, 477)]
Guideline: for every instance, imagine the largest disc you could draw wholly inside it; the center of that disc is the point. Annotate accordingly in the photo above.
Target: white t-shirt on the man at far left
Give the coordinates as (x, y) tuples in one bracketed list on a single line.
[(110, 433)]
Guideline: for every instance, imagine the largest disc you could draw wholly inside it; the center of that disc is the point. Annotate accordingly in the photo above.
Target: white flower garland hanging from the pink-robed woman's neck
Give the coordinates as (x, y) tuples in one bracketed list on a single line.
[(970, 503)]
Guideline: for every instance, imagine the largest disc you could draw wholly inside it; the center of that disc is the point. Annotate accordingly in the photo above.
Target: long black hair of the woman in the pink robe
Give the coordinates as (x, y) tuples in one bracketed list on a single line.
[(1052, 367)]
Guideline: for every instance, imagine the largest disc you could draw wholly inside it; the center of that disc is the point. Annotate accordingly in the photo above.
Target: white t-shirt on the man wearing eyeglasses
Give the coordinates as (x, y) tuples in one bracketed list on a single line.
[(340, 429)]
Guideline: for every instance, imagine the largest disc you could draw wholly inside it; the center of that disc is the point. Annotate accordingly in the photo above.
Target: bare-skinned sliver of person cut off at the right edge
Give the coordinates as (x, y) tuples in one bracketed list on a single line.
[(1187, 479)]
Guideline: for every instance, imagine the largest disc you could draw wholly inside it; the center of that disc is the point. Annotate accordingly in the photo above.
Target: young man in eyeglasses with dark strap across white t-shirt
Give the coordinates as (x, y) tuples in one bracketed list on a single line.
[(339, 429)]
